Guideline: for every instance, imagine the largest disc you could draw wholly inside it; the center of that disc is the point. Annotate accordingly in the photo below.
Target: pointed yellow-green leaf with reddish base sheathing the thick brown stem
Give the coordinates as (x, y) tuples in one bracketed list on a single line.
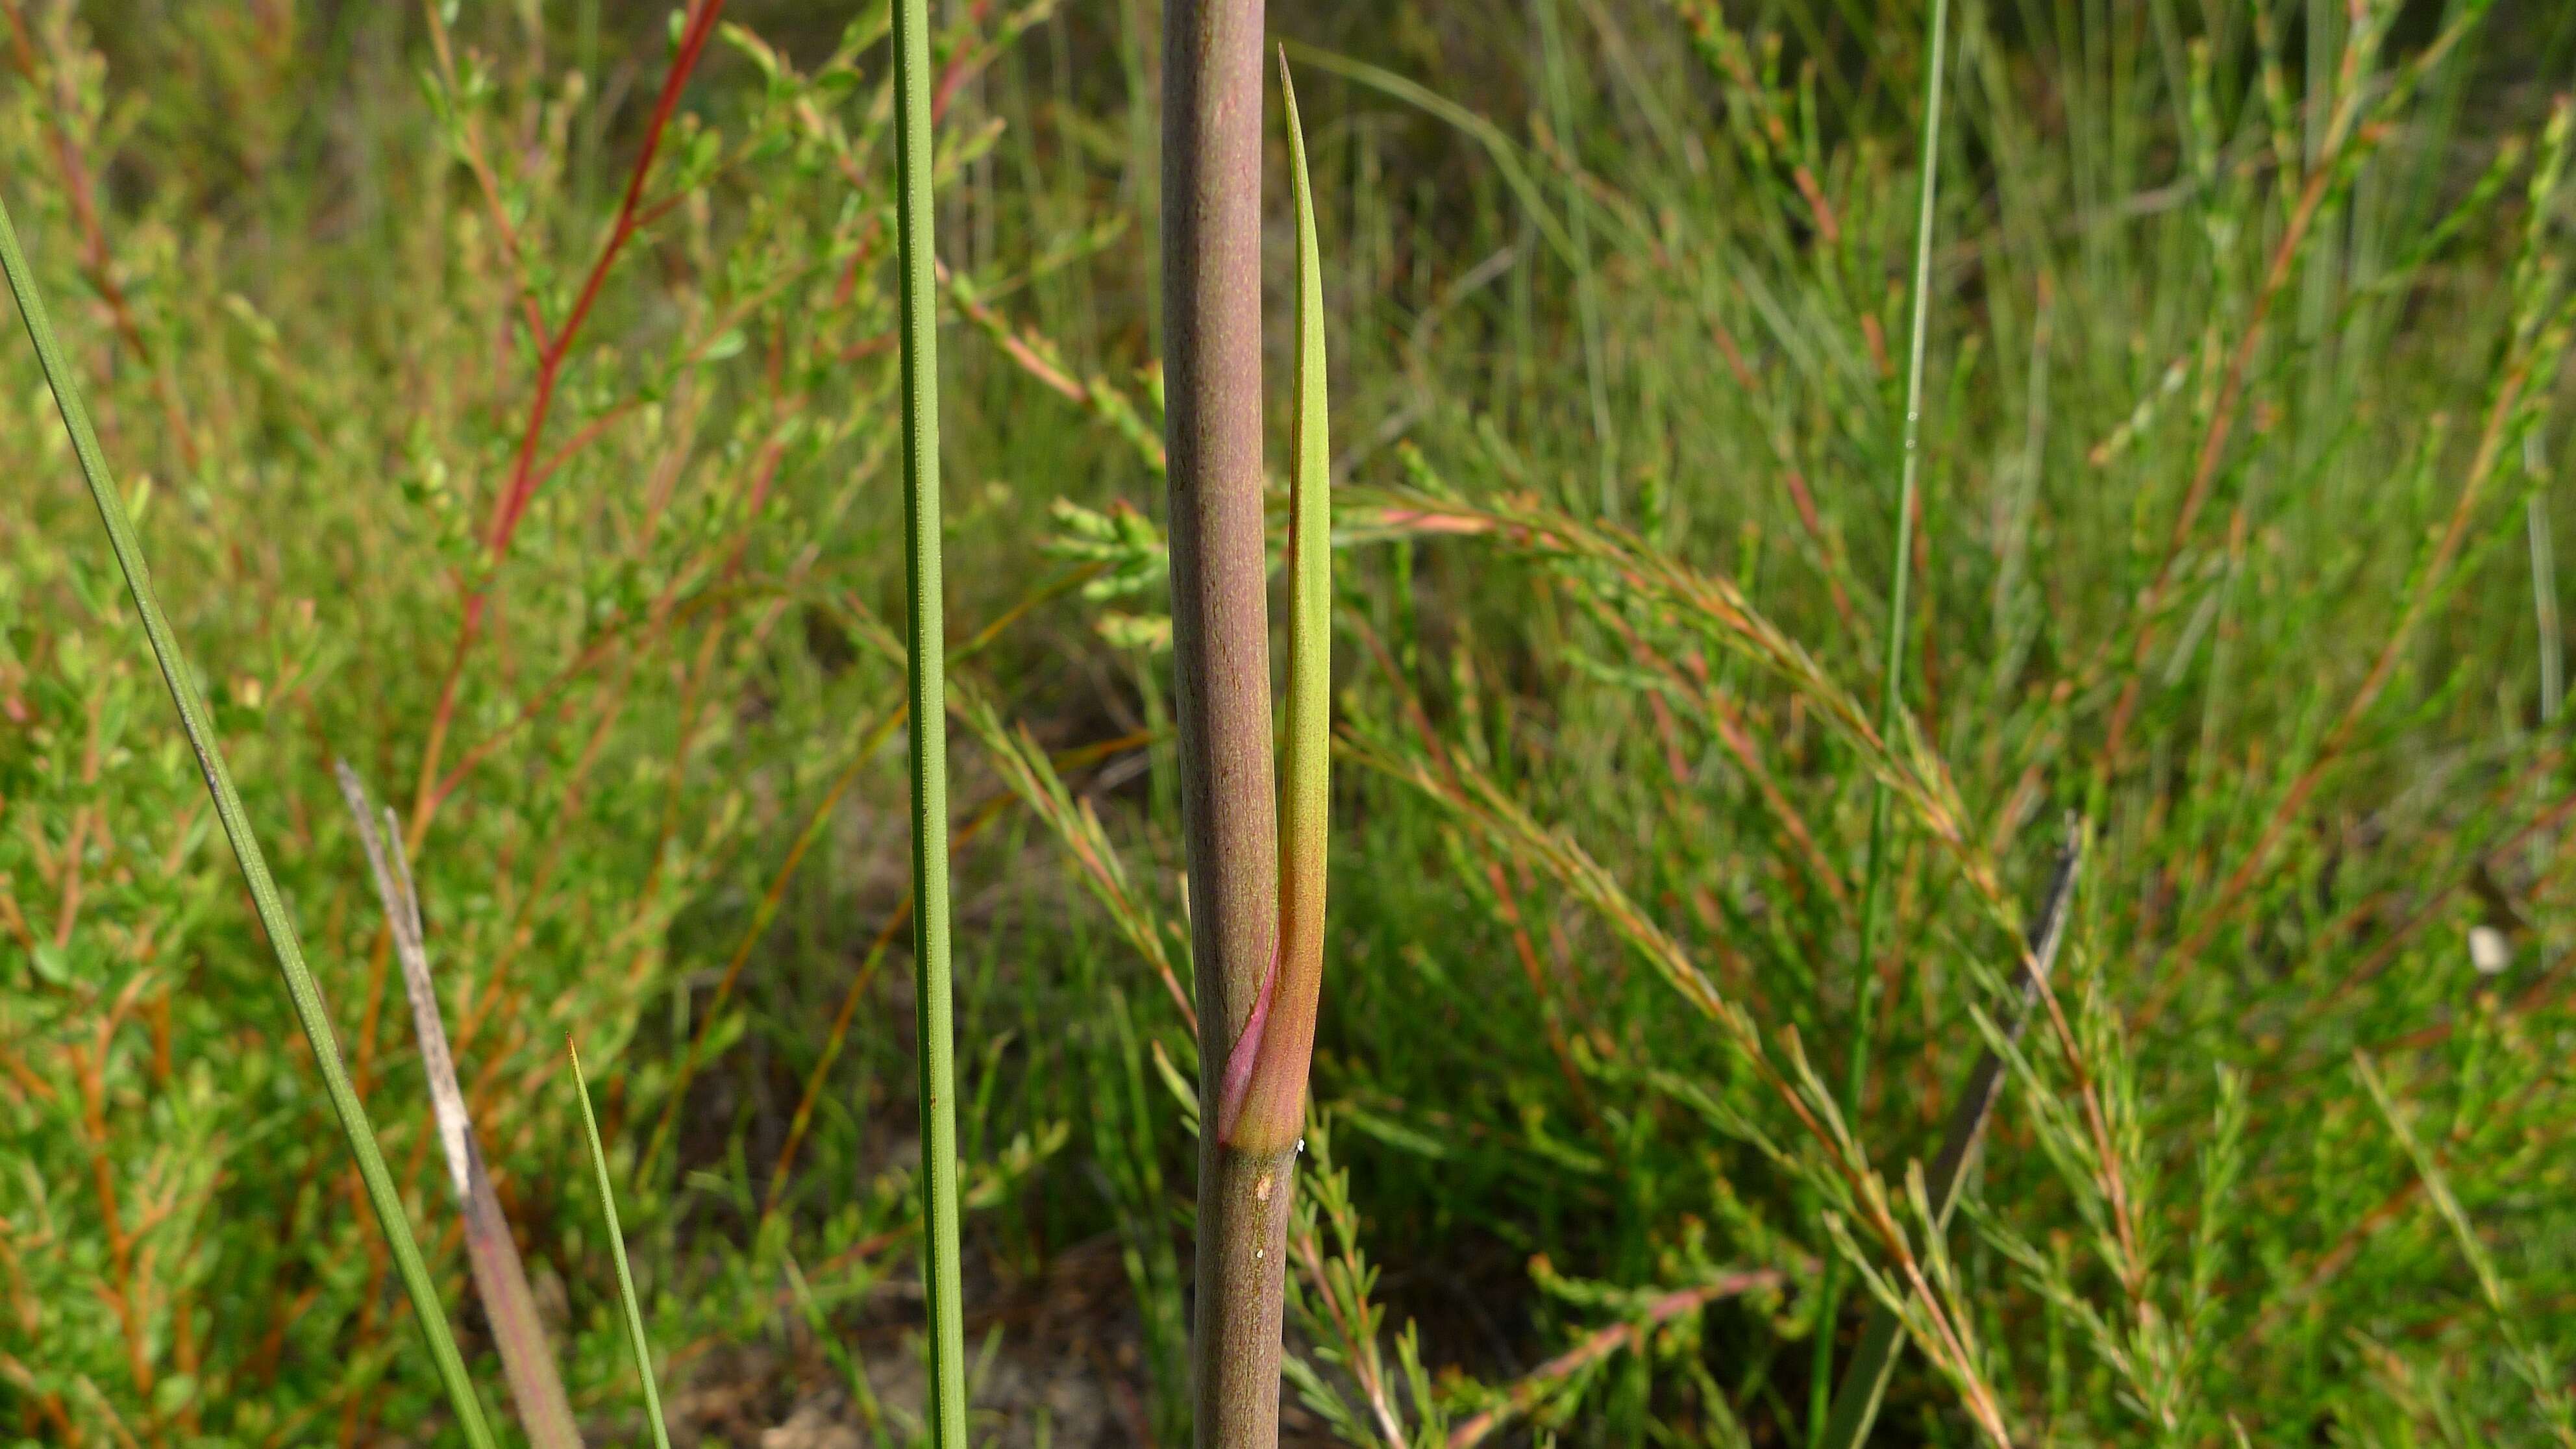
[(1266, 1071)]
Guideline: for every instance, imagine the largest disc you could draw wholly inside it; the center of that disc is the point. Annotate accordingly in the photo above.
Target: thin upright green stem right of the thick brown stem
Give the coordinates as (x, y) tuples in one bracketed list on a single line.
[(1895, 666)]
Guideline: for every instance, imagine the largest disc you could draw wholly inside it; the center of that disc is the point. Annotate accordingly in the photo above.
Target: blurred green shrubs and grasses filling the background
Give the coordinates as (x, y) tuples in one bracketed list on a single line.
[(2248, 398)]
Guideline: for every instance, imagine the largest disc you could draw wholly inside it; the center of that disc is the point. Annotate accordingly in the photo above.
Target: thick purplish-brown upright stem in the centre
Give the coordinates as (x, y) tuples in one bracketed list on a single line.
[(1212, 308)]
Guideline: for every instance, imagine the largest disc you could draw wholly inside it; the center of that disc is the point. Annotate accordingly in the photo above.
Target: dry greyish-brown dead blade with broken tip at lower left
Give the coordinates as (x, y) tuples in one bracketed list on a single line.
[(501, 1280)]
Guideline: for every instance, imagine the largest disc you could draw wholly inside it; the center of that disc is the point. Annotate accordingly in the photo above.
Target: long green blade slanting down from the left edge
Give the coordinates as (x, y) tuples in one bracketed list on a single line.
[(228, 806)]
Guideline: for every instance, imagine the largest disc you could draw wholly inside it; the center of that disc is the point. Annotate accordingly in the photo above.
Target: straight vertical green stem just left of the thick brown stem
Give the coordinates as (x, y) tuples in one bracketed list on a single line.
[(929, 726)]
